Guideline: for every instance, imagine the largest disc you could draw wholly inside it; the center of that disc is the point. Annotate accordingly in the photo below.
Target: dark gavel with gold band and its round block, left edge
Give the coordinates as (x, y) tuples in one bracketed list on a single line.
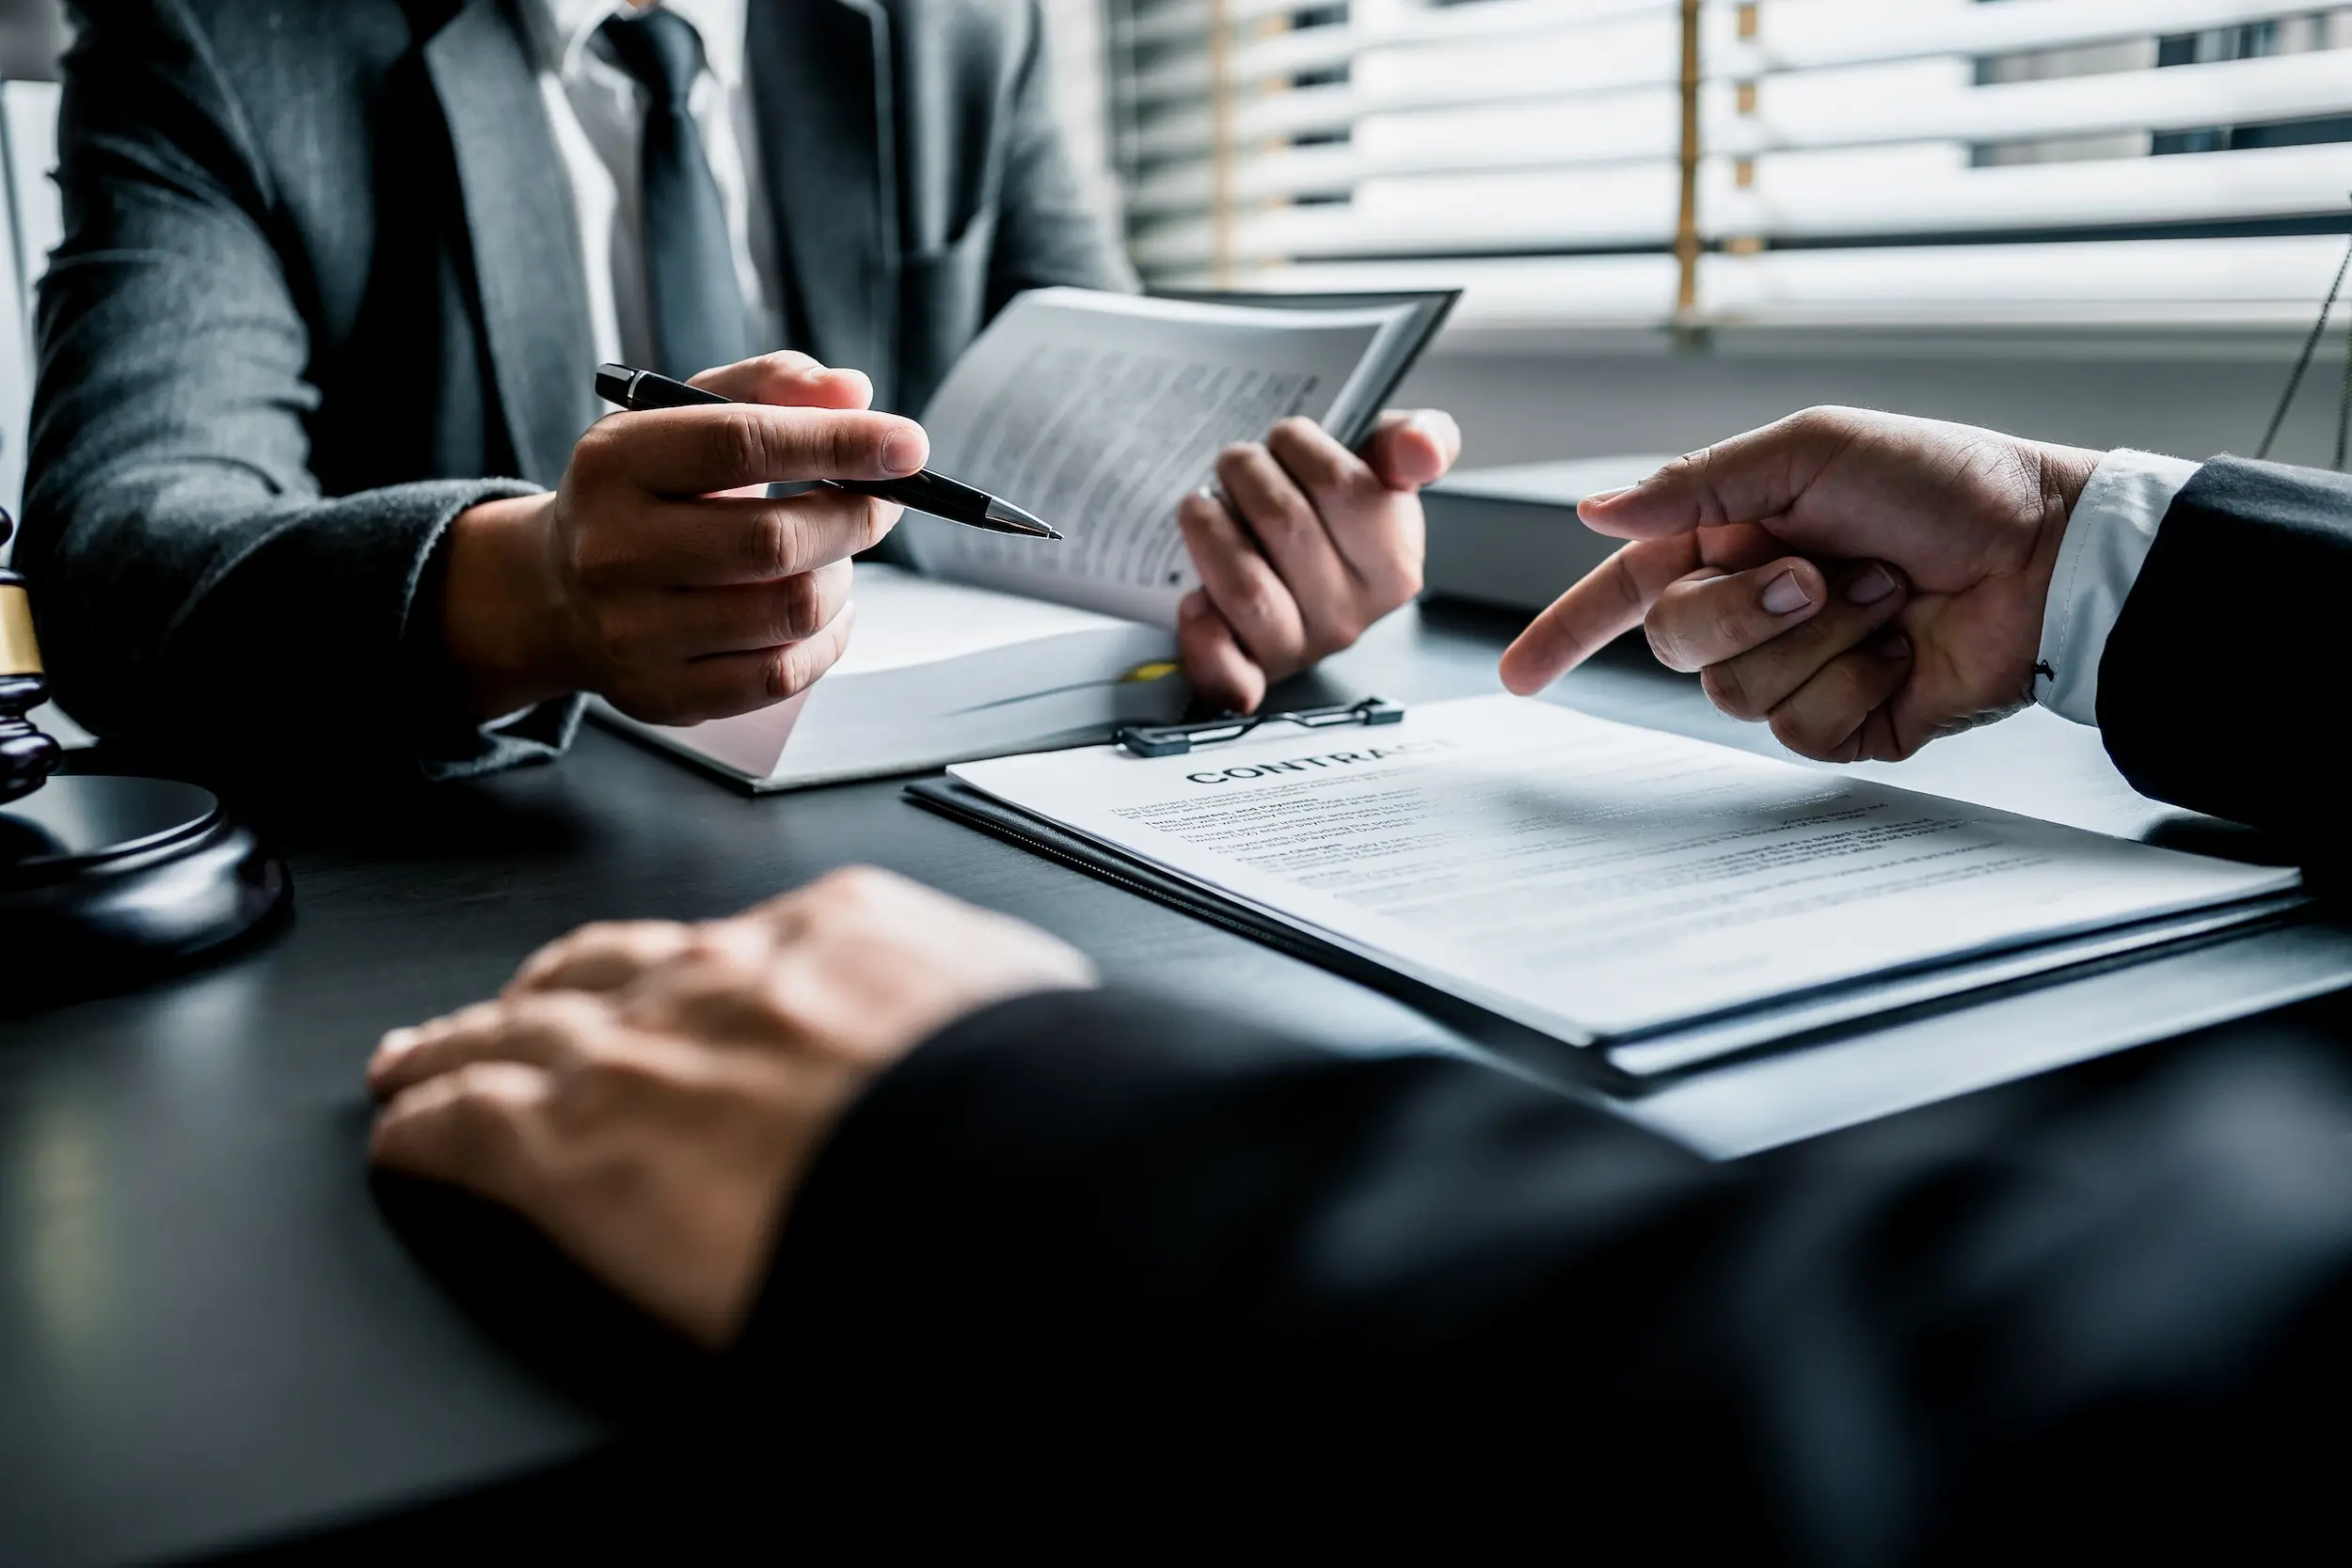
[(105, 880)]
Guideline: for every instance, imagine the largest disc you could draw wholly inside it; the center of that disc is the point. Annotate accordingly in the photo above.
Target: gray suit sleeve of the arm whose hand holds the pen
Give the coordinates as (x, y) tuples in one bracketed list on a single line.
[(189, 579)]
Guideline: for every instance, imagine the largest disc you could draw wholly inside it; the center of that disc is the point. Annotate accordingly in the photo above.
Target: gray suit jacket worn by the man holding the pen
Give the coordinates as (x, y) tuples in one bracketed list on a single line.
[(321, 290)]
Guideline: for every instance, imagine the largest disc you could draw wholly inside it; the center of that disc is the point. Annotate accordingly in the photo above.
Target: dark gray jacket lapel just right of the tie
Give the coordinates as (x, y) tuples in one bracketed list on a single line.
[(822, 91)]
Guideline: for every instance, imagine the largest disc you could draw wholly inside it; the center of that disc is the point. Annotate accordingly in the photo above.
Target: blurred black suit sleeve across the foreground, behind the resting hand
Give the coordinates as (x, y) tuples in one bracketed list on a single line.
[(1114, 1214)]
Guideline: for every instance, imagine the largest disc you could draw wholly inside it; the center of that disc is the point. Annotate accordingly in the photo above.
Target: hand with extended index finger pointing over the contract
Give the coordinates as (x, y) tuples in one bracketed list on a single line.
[(1765, 565)]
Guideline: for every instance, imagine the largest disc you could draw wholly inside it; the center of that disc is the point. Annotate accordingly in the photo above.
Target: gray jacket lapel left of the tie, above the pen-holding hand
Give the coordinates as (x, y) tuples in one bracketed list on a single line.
[(523, 232)]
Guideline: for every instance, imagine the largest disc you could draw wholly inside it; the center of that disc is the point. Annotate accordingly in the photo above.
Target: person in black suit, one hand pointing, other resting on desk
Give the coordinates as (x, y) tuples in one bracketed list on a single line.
[(902, 1158)]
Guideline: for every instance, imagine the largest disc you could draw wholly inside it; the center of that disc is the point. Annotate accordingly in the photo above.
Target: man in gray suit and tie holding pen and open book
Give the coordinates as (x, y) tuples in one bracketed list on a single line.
[(312, 450)]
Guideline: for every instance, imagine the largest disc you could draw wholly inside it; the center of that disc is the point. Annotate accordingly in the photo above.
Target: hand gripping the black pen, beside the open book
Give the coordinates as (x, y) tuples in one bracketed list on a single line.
[(660, 572)]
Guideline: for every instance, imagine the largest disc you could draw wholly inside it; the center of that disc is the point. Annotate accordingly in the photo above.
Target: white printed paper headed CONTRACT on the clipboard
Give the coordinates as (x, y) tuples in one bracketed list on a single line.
[(1603, 883)]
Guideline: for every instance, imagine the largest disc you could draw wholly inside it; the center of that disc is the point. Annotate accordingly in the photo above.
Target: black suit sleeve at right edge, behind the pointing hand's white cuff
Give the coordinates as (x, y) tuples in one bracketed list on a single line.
[(2219, 683)]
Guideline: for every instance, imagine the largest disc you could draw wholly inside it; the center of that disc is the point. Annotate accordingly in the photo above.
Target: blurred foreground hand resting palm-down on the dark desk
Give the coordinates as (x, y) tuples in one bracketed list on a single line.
[(650, 1092)]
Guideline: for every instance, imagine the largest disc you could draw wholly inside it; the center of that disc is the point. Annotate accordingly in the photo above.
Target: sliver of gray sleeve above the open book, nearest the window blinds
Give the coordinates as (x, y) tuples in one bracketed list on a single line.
[(1050, 229)]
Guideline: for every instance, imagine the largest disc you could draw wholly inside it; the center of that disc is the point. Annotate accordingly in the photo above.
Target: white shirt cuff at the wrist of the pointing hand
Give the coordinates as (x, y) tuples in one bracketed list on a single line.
[(2106, 542)]
